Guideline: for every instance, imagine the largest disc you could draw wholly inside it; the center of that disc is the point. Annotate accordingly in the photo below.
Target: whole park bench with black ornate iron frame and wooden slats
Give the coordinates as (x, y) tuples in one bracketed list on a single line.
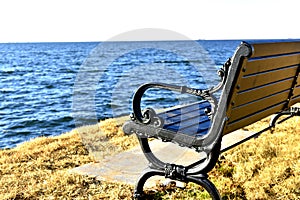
[(261, 79)]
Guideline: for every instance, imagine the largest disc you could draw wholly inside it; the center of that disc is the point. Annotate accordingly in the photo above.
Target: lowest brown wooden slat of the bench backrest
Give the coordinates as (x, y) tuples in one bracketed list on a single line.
[(253, 118)]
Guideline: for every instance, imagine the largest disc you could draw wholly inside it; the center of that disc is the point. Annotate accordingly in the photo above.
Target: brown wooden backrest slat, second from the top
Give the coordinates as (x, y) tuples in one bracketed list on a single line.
[(261, 65)]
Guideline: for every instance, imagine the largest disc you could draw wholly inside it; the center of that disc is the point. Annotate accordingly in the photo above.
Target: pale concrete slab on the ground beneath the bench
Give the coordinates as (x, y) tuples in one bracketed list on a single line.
[(127, 166)]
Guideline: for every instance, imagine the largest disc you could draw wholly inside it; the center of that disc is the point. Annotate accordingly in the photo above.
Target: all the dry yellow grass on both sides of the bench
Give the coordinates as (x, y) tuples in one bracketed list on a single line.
[(264, 168)]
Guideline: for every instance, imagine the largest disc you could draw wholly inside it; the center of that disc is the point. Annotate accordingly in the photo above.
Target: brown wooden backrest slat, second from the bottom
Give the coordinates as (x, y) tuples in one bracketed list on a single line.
[(248, 109)]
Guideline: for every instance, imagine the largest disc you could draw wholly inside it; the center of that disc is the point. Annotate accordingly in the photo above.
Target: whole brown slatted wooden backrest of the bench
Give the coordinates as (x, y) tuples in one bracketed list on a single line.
[(265, 81)]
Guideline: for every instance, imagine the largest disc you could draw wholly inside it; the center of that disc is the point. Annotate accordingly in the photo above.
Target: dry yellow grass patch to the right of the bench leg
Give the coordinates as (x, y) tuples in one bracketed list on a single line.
[(264, 168)]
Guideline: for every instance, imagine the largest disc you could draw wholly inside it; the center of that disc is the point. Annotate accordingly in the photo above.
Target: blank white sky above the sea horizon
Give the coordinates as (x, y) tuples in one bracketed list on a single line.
[(100, 20)]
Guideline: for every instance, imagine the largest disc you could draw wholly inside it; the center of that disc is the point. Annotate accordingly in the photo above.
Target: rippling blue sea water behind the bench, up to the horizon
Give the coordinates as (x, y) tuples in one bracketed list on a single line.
[(46, 87)]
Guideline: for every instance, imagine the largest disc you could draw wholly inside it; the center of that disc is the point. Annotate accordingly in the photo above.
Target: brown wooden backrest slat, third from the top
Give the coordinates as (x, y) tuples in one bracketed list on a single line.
[(267, 77)]
